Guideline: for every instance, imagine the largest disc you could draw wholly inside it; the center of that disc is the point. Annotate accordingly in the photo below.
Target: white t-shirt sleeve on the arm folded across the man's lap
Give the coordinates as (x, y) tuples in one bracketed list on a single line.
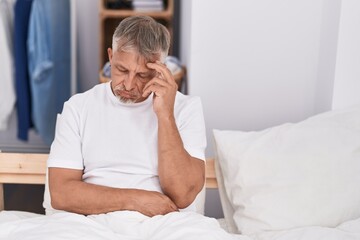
[(66, 148)]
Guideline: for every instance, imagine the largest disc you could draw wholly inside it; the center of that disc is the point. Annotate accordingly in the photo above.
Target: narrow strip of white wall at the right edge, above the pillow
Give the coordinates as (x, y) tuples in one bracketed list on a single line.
[(347, 77)]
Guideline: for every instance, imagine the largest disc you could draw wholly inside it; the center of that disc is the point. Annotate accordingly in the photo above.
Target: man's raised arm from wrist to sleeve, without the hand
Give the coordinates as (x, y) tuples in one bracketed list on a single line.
[(181, 175)]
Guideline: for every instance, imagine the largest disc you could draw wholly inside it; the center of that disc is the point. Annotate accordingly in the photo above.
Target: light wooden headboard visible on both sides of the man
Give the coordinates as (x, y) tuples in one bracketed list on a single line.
[(30, 168)]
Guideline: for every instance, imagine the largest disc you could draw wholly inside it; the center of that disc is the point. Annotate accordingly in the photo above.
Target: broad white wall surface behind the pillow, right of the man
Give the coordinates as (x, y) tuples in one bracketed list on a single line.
[(256, 64)]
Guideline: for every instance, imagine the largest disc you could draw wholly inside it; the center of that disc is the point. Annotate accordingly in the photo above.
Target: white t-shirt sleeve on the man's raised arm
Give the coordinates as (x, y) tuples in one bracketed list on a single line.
[(192, 128)]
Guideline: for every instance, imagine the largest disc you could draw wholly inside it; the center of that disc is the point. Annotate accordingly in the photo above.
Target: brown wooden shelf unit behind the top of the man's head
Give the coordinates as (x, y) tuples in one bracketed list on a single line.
[(110, 18)]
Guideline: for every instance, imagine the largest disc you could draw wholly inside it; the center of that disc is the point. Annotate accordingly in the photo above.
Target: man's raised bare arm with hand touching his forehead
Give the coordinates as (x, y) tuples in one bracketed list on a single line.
[(181, 175)]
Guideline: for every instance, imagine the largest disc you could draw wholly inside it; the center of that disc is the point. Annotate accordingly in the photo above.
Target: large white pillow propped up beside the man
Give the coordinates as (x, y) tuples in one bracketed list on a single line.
[(292, 175)]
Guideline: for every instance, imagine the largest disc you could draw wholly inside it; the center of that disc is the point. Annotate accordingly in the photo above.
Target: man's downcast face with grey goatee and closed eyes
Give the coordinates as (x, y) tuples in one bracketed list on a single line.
[(129, 75)]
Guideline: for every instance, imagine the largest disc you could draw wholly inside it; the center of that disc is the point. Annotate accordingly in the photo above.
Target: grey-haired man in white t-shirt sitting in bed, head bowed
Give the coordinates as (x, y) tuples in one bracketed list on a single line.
[(131, 146)]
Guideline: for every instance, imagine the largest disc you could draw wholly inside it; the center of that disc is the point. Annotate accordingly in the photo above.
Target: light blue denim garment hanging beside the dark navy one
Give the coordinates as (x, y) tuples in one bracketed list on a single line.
[(49, 63)]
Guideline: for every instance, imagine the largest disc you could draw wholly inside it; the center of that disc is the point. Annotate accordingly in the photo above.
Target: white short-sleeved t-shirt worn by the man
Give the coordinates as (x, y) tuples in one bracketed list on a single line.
[(115, 144)]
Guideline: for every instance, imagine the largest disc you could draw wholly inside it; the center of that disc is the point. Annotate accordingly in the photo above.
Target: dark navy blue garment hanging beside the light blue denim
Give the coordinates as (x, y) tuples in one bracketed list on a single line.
[(22, 83)]
